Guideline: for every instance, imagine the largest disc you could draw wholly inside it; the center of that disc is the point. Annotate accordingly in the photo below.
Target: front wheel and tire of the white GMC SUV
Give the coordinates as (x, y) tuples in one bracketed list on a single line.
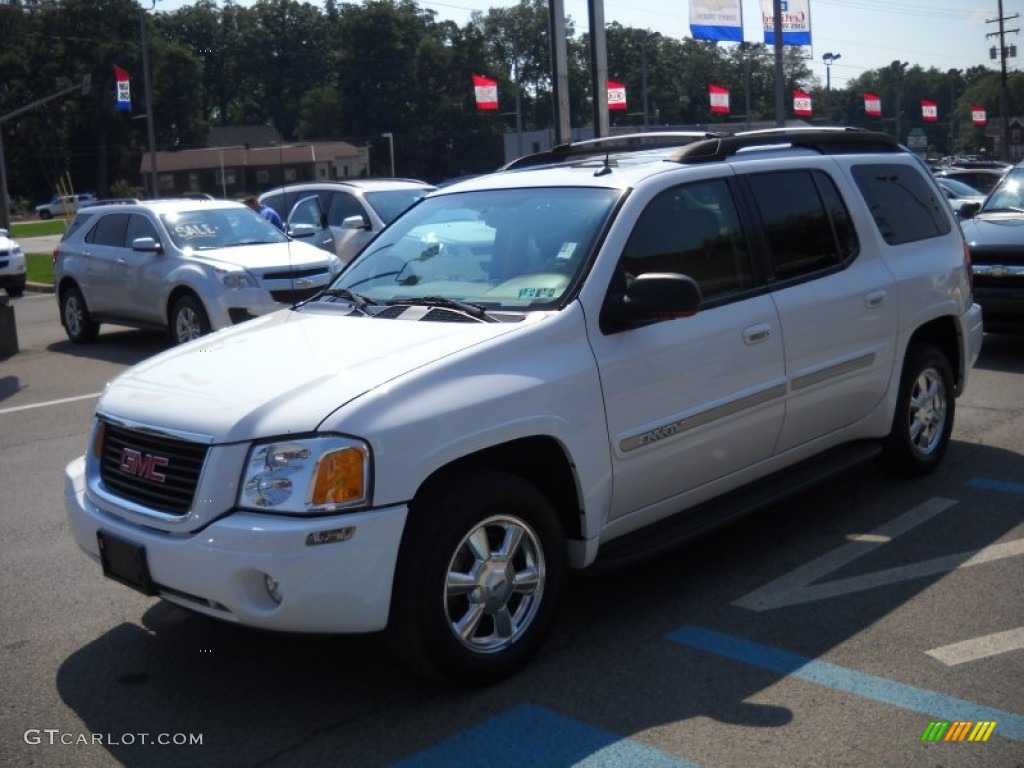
[(457, 616)]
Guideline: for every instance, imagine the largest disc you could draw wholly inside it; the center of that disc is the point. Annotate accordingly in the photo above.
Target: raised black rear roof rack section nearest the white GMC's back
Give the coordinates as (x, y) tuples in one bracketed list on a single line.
[(825, 141)]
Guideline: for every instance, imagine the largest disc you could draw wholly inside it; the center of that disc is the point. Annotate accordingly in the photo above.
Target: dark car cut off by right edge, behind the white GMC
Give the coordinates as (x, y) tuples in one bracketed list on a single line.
[(995, 233)]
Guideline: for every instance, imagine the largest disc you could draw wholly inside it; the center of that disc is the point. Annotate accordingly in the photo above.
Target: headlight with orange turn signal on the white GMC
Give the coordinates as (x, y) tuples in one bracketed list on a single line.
[(307, 477)]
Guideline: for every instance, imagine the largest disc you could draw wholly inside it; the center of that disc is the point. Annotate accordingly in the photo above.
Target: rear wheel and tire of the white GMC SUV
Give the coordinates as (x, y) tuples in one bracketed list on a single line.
[(925, 410)]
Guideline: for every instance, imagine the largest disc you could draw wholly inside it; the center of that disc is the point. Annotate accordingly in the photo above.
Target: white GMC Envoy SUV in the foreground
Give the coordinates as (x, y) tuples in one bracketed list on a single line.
[(592, 355)]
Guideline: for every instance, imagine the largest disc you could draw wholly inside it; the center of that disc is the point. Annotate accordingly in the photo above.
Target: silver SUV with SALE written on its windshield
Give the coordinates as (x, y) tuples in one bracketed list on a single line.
[(182, 266)]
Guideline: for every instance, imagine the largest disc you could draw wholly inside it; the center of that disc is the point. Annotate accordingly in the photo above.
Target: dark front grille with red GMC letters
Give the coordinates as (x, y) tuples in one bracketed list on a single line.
[(155, 472)]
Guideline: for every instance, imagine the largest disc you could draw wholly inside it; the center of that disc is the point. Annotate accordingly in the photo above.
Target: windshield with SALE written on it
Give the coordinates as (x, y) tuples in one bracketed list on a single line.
[(220, 228)]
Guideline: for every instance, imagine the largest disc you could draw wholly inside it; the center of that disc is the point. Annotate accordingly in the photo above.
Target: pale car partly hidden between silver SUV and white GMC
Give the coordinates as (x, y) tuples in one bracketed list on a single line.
[(344, 217)]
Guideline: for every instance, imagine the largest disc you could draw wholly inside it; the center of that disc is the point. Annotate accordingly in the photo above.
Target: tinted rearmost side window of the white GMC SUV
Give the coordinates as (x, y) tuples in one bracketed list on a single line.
[(907, 206)]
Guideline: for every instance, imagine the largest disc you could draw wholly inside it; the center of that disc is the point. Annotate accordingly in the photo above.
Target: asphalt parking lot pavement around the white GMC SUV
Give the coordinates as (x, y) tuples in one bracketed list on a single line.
[(842, 628)]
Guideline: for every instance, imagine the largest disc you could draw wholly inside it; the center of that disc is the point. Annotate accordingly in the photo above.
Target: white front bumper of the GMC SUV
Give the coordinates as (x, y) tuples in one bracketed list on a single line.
[(344, 587)]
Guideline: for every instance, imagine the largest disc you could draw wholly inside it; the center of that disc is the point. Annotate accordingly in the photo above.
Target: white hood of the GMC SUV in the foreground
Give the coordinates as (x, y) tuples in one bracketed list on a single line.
[(283, 373)]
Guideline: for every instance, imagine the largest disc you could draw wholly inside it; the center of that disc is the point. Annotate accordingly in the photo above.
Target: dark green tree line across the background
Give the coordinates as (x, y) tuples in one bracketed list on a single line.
[(353, 71)]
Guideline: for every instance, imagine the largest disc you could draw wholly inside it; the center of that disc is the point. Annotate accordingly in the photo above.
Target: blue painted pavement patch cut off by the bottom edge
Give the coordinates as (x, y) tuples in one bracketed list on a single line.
[(536, 737)]
